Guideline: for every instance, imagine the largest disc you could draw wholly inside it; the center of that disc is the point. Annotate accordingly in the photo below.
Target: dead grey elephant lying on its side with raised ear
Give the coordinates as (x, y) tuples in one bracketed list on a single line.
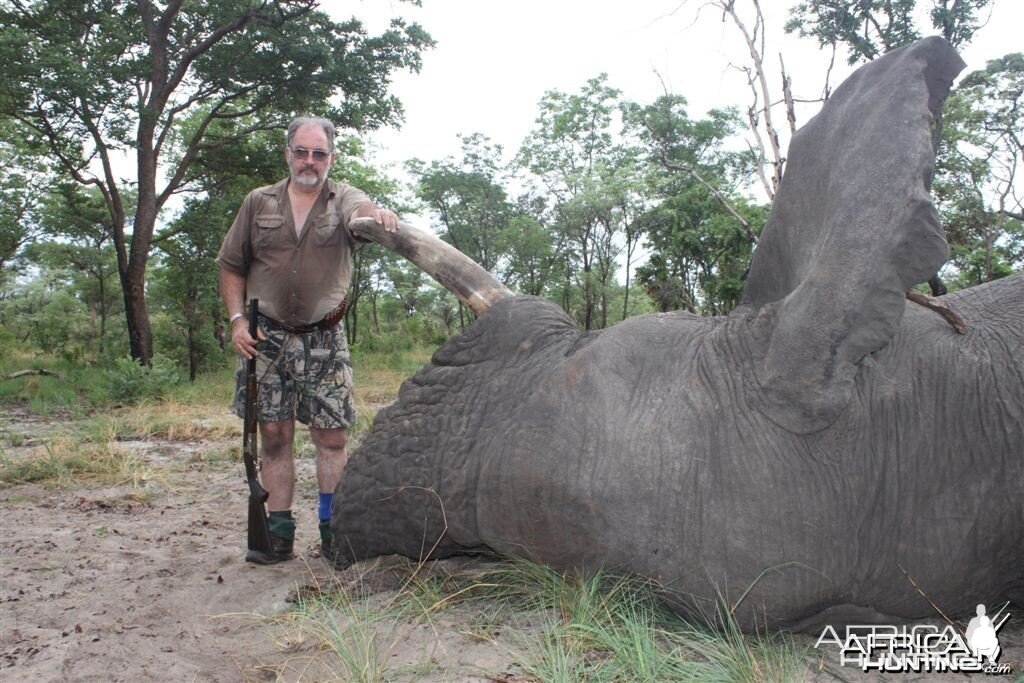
[(828, 453)]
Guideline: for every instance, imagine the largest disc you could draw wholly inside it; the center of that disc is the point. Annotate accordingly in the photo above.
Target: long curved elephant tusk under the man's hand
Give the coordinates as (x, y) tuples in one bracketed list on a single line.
[(477, 288)]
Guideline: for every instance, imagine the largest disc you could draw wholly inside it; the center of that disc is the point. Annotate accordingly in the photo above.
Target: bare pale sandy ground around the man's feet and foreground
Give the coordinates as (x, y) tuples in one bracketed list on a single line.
[(97, 585)]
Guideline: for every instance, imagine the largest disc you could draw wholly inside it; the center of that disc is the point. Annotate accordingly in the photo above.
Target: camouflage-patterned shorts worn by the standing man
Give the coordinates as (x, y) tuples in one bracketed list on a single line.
[(304, 377)]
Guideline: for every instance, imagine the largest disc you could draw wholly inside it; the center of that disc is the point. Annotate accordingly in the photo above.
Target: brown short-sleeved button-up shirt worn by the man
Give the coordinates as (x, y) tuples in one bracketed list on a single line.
[(298, 278)]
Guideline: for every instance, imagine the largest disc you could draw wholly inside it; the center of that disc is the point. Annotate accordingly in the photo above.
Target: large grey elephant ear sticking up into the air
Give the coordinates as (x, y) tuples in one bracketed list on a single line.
[(852, 230)]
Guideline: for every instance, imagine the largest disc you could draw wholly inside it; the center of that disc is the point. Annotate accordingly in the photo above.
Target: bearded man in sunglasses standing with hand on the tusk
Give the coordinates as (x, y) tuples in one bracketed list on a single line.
[(291, 247)]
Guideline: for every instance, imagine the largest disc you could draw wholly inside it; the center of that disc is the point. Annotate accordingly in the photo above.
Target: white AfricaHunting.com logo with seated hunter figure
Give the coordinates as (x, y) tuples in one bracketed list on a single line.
[(923, 649)]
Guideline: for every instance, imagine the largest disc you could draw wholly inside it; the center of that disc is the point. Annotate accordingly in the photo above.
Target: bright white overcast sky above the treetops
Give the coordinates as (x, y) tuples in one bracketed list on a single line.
[(495, 61)]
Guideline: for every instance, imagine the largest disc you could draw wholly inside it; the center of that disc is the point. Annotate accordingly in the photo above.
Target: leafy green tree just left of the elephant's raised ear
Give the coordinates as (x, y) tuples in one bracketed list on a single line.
[(700, 230)]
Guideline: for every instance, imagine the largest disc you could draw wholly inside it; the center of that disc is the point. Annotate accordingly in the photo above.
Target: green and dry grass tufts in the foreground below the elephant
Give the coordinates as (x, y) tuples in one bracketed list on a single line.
[(551, 627)]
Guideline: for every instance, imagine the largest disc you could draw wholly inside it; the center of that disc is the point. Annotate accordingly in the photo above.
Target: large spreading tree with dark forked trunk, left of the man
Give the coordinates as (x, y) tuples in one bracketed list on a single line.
[(103, 81)]
